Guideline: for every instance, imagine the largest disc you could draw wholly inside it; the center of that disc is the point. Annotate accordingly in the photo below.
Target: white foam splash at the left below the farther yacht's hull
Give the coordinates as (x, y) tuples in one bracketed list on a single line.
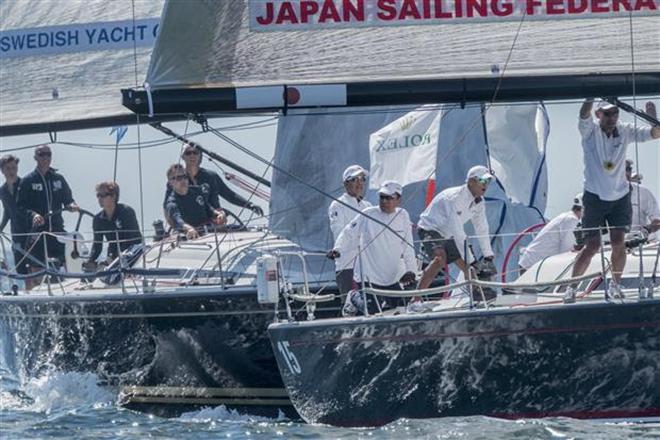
[(57, 391)]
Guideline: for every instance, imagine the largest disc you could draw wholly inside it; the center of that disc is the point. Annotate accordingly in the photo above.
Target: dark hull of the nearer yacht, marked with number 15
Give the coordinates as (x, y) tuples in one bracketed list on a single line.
[(583, 361)]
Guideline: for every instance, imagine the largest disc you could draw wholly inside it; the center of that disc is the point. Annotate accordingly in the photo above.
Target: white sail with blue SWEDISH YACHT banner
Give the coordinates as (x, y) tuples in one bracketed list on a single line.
[(63, 62)]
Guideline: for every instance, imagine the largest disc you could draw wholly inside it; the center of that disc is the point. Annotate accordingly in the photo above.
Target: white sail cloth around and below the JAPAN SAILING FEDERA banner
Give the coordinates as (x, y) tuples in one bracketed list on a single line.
[(211, 44)]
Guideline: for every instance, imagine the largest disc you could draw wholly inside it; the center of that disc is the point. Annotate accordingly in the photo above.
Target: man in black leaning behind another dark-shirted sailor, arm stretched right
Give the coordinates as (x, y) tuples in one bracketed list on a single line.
[(210, 182)]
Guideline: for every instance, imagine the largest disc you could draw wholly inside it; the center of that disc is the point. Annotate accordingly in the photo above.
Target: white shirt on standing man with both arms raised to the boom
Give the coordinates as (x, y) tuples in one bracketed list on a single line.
[(599, 149)]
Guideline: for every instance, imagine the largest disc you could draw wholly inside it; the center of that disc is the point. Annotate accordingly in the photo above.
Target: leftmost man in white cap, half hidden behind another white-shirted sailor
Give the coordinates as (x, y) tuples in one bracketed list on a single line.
[(340, 213)]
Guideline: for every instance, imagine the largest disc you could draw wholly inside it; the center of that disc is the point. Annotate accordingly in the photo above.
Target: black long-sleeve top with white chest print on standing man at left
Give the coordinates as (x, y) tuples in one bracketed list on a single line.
[(39, 194)]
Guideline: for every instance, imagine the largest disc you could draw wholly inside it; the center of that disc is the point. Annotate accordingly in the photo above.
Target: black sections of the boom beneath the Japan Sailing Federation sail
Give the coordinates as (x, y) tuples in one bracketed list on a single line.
[(414, 92)]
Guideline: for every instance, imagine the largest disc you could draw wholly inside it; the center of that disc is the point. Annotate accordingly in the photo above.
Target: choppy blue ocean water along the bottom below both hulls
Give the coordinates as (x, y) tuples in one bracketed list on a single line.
[(74, 406)]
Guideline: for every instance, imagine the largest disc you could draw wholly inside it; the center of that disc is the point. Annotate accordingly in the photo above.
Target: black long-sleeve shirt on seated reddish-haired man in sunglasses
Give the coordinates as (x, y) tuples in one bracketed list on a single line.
[(123, 224)]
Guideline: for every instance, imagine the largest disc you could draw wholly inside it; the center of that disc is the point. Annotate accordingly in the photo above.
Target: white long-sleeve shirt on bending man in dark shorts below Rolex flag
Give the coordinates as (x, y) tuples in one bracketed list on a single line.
[(450, 210)]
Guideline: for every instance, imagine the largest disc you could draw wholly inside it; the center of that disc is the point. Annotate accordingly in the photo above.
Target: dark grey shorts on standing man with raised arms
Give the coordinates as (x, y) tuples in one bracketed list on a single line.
[(598, 213)]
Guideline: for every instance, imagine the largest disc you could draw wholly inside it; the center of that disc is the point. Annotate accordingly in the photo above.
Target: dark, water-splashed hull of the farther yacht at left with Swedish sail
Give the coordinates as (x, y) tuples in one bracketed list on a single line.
[(205, 348)]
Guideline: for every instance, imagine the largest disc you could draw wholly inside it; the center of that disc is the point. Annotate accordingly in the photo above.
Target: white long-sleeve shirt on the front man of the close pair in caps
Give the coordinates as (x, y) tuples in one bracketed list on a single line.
[(385, 257)]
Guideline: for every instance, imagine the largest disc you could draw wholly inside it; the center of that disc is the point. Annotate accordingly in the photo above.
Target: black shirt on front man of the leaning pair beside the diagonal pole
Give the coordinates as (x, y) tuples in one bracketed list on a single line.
[(192, 208)]
